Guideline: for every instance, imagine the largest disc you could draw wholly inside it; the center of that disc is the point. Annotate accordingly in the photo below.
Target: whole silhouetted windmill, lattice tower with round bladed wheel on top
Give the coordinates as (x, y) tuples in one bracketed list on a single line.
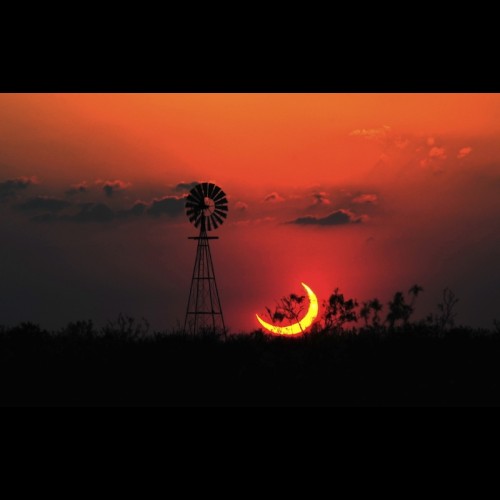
[(206, 208)]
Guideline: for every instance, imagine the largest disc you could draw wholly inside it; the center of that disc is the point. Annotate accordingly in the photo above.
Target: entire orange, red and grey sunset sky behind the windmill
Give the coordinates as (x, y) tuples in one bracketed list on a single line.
[(370, 193)]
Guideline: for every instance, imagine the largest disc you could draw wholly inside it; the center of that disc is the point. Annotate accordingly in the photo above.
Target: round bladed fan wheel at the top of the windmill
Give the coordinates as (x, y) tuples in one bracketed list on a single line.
[(206, 206)]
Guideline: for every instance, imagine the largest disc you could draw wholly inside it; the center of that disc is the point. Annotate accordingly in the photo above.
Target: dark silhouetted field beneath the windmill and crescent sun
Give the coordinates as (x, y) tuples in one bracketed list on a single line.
[(122, 365)]
